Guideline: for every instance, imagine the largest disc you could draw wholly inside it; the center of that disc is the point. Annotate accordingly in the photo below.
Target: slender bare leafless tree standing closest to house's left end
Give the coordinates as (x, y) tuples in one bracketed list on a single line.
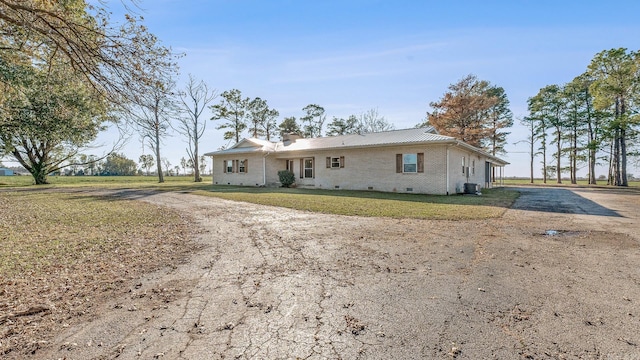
[(194, 101)]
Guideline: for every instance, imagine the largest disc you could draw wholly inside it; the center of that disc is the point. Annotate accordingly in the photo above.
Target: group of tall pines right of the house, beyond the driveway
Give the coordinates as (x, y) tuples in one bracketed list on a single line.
[(590, 121)]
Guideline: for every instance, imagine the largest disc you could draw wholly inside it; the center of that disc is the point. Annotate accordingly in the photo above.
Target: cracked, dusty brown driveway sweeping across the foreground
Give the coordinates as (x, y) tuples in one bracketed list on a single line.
[(281, 284)]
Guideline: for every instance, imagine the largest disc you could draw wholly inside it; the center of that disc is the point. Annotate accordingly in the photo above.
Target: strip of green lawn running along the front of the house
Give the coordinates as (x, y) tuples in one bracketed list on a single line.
[(491, 204)]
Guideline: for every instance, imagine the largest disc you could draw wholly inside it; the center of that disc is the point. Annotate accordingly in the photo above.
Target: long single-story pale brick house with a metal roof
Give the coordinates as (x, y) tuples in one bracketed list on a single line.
[(415, 160)]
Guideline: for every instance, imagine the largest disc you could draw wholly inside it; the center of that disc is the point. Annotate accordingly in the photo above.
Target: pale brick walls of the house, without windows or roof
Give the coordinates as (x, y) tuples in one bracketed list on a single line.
[(364, 169)]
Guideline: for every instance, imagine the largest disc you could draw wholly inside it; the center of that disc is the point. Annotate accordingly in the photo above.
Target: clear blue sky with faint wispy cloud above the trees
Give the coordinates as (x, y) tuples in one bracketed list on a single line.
[(396, 56)]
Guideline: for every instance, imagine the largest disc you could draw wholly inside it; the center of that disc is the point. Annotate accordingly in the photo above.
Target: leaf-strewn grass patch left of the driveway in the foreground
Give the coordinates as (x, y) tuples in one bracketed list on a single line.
[(65, 251)]
